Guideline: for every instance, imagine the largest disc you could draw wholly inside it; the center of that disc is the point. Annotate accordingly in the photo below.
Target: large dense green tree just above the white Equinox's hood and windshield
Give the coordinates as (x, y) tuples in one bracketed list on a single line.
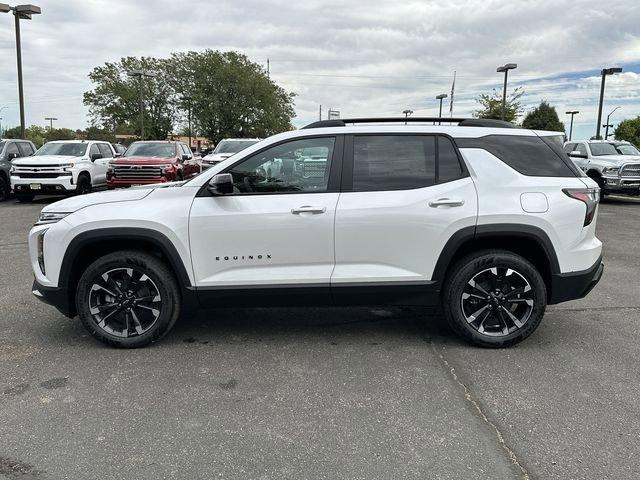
[(230, 95)]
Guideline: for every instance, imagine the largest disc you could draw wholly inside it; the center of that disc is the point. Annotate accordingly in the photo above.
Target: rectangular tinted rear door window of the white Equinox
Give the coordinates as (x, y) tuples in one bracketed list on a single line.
[(393, 162)]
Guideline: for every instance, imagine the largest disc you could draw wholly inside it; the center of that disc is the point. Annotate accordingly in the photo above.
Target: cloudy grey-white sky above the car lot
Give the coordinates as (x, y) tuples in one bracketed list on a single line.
[(367, 58)]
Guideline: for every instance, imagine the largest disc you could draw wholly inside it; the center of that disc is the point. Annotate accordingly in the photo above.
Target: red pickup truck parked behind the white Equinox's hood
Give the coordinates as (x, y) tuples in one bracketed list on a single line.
[(152, 162)]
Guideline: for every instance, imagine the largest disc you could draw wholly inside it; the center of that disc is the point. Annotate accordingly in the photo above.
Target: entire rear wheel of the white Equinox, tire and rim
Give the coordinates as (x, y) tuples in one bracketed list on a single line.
[(483, 312)]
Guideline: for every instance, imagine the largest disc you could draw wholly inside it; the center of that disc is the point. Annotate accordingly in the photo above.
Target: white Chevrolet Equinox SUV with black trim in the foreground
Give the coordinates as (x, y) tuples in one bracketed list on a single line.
[(491, 223)]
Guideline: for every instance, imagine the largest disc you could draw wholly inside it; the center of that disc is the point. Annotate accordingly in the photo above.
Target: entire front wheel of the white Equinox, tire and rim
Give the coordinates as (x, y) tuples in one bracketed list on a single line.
[(116, 319)]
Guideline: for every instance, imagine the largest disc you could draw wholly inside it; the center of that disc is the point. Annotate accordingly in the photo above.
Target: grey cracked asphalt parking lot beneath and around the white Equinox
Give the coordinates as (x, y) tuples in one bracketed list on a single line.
[(324, 393)]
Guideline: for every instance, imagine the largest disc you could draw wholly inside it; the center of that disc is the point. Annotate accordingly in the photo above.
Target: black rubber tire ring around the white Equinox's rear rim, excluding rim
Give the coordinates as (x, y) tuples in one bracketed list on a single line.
[(470, 266)]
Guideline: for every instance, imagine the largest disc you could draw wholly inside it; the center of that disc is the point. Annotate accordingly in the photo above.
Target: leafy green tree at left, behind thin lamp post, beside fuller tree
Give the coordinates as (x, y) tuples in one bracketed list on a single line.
[(114, 103)]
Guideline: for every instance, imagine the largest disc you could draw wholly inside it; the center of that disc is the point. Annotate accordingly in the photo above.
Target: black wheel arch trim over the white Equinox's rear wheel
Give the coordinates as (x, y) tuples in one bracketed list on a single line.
[(447, 256)]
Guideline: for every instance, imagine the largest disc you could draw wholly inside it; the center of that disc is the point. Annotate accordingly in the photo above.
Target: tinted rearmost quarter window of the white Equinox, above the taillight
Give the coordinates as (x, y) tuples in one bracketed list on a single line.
[(526, 154)]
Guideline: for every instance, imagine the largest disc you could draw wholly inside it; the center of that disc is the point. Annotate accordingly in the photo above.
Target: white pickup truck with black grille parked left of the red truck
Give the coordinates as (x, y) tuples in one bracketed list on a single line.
[(60, 168)]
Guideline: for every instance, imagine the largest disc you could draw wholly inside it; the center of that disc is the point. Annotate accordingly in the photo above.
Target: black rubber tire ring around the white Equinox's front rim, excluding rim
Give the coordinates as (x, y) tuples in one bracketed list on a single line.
[(156, 271)]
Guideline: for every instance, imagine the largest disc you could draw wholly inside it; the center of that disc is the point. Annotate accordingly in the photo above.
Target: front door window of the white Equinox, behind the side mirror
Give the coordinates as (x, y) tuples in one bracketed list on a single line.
[(297, 166)]
